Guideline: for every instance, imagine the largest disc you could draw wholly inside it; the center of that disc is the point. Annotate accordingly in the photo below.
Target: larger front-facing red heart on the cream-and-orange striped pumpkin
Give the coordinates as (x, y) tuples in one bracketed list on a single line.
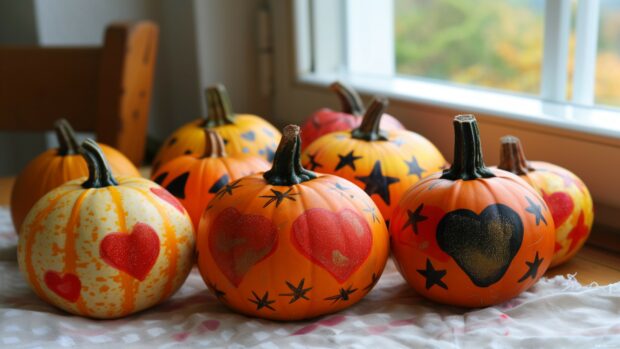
[(133, 253)]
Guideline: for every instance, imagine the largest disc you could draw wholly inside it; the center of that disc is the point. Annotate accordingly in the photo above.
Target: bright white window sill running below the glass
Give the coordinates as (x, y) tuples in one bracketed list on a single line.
[(579, 119)]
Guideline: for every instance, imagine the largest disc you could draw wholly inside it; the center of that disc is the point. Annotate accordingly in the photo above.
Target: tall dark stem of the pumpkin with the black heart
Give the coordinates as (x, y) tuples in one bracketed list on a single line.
[(468, 163)]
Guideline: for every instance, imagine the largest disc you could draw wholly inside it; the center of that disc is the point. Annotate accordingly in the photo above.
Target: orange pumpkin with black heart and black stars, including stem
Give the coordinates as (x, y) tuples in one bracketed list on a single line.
[(471, 236)]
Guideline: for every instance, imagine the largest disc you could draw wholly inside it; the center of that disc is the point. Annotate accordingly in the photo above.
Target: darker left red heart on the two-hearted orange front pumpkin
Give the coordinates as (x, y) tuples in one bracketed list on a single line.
[(237, 242)]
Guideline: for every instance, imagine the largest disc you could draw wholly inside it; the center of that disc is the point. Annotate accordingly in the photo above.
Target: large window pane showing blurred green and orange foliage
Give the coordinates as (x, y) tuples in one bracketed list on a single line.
[(488, 43)]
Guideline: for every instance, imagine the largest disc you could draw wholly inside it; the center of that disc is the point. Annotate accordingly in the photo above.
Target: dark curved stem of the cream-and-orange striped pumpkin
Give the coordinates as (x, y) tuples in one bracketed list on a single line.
[(99, 172)]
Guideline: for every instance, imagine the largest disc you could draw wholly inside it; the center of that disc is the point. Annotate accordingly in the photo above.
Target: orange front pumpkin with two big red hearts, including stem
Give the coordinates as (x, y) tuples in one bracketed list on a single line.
[(291, 244)]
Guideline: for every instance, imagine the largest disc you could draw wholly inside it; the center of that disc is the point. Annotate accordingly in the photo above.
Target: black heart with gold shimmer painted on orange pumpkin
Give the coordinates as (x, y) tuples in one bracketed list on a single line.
[(482, 245)]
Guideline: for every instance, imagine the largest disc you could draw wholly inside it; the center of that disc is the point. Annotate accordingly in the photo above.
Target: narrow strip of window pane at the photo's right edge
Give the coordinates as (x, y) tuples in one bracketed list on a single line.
[(608, 60)]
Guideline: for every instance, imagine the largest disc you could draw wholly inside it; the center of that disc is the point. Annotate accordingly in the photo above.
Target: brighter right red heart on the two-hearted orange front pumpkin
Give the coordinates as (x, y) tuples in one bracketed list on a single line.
[(337, 241)]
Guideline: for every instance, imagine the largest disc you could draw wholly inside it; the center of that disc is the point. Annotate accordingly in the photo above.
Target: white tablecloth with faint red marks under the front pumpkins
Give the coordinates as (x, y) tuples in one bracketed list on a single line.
[(555, 313)]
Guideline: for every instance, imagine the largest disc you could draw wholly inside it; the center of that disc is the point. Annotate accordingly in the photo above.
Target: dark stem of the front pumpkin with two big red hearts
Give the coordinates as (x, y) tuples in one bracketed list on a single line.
[(287, 169)]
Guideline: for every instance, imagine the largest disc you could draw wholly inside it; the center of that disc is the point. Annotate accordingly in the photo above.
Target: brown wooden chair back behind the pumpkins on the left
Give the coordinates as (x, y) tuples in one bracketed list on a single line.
[(106, 89)]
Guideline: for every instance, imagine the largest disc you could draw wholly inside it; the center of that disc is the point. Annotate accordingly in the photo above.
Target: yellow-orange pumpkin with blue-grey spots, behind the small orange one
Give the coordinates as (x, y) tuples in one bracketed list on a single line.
[(243, 134)]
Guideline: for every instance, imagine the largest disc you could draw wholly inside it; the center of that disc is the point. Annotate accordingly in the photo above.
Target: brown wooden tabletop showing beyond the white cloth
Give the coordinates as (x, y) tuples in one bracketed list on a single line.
[(591, 264)]
